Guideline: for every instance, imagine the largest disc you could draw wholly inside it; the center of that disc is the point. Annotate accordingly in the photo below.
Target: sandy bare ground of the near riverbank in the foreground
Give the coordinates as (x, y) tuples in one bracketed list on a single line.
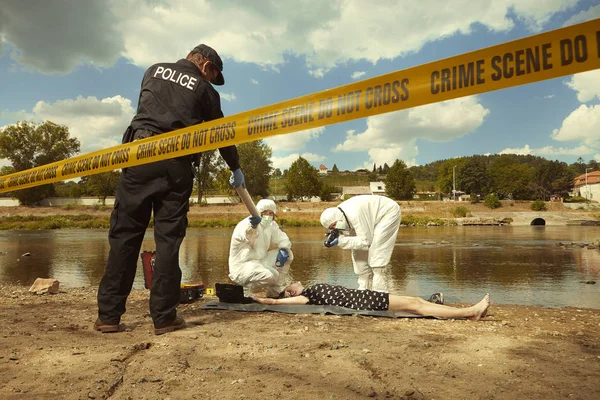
[(48, 349)]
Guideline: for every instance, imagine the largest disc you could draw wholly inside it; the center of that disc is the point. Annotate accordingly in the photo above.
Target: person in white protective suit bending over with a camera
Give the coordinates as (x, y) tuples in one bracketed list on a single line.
[(368, 225)]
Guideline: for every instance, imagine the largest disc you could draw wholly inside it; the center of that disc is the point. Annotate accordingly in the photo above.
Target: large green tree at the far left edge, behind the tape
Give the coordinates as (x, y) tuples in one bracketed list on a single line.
[(29, 145)]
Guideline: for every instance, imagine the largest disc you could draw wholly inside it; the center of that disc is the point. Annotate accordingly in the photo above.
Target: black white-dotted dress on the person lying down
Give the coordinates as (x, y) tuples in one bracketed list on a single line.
[(324, 294)]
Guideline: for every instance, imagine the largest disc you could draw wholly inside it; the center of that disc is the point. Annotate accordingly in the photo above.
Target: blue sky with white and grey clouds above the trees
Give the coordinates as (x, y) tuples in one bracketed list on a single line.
[(80, 63)]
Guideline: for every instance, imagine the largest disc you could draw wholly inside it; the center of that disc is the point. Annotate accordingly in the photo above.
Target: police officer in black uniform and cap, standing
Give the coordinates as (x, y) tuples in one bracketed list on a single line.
[(173, 96)]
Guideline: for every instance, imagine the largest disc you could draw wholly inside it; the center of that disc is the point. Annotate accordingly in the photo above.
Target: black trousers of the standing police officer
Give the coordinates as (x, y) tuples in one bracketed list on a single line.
[(162, 187)]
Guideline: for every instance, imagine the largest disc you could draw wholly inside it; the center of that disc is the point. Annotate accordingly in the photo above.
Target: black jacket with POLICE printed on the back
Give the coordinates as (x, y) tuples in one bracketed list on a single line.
[(175, 96)]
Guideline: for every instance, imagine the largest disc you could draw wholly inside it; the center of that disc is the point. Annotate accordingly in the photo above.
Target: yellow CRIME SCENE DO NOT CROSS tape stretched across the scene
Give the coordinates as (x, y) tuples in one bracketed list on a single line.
[(548, 55)]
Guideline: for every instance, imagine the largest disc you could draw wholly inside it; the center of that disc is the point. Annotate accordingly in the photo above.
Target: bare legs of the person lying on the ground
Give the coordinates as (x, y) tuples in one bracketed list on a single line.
[(418, 306)]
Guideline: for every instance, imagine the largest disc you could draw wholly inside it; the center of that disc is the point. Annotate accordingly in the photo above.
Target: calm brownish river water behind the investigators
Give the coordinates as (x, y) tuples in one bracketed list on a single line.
[(516, 265)]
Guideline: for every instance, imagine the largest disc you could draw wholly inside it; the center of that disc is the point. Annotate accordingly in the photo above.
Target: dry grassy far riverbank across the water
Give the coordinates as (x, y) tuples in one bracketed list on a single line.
[(299, 214)]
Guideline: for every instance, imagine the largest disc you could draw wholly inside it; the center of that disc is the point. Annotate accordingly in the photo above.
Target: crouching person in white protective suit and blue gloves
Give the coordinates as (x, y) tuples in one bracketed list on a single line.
[(260, 253)]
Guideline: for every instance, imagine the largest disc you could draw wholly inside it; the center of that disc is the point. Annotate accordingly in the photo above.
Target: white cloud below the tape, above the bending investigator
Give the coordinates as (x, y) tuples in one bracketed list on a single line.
[(394, 135)]
